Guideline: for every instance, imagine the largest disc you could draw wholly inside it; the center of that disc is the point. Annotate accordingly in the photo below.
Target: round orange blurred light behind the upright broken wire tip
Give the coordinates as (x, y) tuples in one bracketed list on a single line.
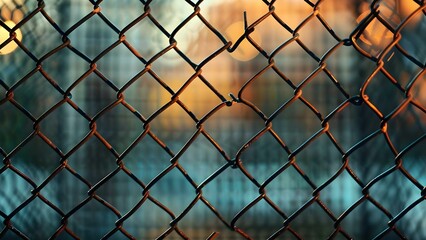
[(245, 51)]
